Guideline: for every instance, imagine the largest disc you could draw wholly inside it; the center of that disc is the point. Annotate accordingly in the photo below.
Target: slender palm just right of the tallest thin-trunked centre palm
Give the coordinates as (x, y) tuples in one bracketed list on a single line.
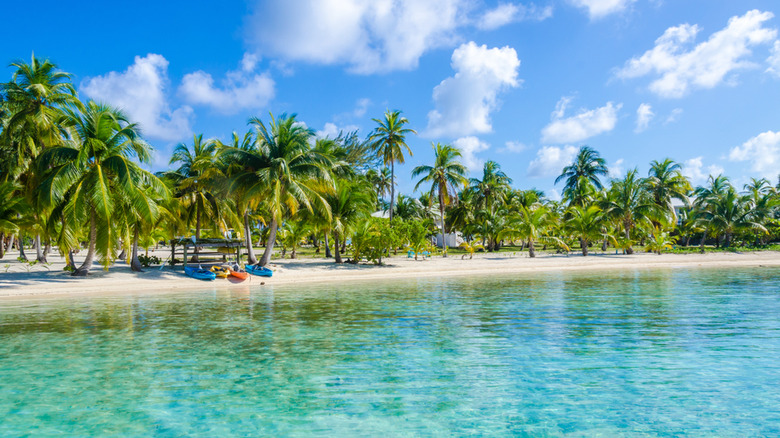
[(445, 175)]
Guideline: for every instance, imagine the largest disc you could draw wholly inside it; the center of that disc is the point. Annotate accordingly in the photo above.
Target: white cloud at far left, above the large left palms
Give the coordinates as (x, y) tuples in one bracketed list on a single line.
[(141, 91)]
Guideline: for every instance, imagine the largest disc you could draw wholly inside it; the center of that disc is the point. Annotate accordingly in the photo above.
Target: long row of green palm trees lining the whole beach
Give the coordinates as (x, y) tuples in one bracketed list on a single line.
[(73, 177)]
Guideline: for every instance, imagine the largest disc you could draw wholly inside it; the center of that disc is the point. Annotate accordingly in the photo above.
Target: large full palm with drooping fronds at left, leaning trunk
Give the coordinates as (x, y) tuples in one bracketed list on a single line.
[(95, 172)]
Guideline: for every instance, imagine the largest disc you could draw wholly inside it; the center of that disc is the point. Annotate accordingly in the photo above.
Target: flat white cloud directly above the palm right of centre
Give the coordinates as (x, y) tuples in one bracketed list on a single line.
[(586, 124)]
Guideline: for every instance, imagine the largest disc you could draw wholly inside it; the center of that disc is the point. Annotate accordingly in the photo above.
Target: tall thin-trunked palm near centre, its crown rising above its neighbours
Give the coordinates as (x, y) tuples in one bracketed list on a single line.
[(389, 141)]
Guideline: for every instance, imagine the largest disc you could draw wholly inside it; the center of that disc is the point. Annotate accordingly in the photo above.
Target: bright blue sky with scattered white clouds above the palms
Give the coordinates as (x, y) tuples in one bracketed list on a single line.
[(522, 83)]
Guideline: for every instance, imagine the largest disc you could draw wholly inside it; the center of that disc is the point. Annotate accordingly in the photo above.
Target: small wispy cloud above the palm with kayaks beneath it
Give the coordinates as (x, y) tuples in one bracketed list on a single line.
[(241, 89)]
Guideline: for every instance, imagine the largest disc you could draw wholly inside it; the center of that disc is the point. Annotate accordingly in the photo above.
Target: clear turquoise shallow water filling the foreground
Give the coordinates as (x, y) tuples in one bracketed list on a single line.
[(644, 353)]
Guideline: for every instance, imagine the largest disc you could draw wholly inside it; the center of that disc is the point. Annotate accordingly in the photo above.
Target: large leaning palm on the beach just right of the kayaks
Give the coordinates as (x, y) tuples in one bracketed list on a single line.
[(292, 176)]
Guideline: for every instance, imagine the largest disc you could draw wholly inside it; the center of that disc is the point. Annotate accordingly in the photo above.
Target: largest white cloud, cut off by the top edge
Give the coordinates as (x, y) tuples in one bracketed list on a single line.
[(368, 36)]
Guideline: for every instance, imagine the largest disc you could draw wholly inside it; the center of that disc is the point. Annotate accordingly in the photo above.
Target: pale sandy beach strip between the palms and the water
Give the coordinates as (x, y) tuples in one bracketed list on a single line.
[(17, 279)]
